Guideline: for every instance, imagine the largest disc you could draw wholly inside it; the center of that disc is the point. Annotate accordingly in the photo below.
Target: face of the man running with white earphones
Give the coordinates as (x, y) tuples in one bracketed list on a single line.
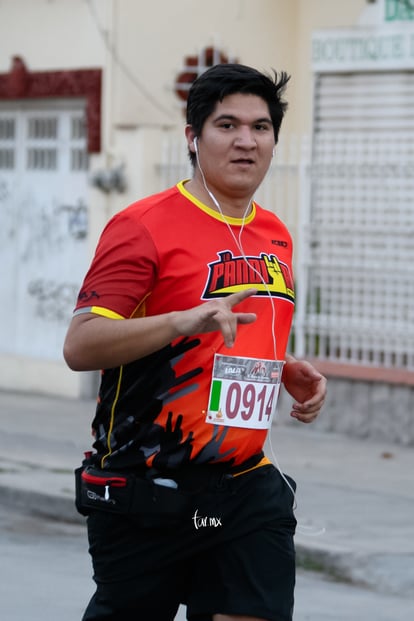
[(236, 145)]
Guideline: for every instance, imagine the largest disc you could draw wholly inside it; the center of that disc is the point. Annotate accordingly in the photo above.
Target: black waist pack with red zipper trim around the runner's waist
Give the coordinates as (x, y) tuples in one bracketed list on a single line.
[(114, 492)]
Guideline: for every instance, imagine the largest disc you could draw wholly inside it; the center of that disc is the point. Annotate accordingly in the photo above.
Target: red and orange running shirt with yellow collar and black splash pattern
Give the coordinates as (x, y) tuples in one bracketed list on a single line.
[(170, 252)]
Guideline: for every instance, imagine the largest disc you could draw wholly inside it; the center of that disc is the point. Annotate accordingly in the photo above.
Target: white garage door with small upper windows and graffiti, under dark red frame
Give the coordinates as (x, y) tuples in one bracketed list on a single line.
[(43, 222)]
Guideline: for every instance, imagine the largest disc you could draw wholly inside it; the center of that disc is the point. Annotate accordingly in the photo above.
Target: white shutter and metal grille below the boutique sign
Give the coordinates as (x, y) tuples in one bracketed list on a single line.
[(358, 278)]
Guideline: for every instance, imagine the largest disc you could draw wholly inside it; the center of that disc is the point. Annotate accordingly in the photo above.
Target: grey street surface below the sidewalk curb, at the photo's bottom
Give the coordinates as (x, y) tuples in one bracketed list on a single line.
[(45, 576)]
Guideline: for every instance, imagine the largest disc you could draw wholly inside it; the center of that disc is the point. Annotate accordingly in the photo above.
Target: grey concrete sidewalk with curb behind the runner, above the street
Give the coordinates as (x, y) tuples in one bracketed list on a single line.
[(355, 499)]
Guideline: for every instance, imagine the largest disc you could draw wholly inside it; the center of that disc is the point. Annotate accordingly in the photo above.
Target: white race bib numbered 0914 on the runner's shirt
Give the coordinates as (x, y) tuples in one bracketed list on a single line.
[(244, 392)]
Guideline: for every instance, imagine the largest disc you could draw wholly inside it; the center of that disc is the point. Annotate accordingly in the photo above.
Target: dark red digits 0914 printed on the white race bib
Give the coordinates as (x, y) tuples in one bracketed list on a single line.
[(246, 400)]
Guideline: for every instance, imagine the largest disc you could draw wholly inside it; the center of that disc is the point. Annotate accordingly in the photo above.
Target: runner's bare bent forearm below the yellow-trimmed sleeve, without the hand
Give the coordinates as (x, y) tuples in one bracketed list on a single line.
[(94, 342)]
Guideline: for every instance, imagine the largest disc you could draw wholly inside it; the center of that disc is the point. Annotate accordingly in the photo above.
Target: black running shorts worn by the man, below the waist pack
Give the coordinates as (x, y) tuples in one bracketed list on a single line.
[(232, 553)]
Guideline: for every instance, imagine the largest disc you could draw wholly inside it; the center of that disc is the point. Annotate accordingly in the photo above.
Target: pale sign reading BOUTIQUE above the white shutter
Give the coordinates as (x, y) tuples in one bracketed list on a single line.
[(362, 49)]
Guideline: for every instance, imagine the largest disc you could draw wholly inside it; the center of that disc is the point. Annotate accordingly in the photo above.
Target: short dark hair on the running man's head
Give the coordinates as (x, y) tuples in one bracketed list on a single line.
[(221, 80)]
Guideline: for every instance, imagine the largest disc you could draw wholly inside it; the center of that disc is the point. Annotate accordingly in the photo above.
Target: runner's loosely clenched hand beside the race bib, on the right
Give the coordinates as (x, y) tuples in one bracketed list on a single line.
[(307, 386)]
